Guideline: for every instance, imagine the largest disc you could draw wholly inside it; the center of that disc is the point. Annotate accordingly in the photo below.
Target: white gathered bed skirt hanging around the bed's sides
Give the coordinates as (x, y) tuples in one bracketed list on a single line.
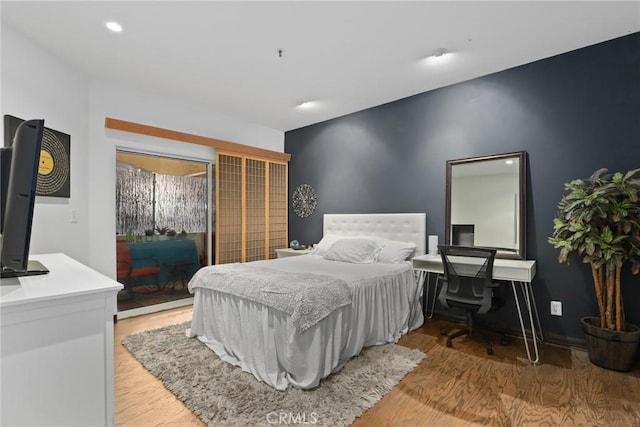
[(261, 341)]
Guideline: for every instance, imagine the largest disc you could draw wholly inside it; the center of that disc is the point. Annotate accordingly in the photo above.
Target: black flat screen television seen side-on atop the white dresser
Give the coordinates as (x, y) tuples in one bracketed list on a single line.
[(19, 161)]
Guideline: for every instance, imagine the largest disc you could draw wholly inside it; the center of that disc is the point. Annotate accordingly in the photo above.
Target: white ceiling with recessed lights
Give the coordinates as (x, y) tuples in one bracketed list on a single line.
[(344, 56)]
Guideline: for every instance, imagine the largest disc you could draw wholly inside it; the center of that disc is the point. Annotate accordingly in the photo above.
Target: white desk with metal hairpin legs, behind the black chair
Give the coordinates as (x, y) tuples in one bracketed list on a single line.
[(514, 271)]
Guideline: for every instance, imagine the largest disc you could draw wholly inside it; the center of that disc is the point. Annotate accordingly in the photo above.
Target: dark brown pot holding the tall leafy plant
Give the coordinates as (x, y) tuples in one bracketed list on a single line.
[(610, 349)]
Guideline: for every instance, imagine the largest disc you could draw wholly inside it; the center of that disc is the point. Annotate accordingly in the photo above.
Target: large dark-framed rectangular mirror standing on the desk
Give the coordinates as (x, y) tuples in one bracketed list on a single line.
[(485, 203)]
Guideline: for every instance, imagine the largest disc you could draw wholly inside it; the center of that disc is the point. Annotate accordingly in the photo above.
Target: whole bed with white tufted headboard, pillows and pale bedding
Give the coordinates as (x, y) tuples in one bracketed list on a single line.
[(374, 302)]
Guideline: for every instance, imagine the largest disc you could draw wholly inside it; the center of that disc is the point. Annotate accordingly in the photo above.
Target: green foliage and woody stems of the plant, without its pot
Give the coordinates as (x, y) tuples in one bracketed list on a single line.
[(598, 221)]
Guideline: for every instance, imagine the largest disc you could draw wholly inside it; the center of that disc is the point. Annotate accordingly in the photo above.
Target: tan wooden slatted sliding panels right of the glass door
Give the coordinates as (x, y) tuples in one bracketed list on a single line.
[(251, 208)]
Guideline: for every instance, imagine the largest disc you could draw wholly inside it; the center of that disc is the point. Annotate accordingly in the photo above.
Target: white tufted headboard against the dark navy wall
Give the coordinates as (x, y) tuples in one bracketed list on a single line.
[(404, 227)]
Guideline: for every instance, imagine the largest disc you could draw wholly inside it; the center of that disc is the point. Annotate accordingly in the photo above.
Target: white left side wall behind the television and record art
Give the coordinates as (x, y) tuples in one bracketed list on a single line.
[(35, 85)]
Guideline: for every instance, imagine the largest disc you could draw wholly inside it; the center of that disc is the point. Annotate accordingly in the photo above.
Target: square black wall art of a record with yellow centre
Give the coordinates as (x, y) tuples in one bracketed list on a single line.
[(55, 160)]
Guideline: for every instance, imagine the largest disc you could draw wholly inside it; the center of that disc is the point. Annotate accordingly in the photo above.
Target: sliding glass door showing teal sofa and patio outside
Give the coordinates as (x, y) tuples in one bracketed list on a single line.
[(163, 226)]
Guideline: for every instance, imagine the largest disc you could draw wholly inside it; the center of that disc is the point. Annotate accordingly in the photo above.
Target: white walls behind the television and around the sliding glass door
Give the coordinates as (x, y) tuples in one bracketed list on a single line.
[(38, 85)]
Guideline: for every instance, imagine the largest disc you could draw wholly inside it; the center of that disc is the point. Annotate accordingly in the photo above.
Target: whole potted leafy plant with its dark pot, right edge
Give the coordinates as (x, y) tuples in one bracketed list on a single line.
[(598, 221)]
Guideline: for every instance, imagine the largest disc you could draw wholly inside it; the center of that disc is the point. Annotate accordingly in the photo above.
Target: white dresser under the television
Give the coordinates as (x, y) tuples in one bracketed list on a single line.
[(56, 346)]
